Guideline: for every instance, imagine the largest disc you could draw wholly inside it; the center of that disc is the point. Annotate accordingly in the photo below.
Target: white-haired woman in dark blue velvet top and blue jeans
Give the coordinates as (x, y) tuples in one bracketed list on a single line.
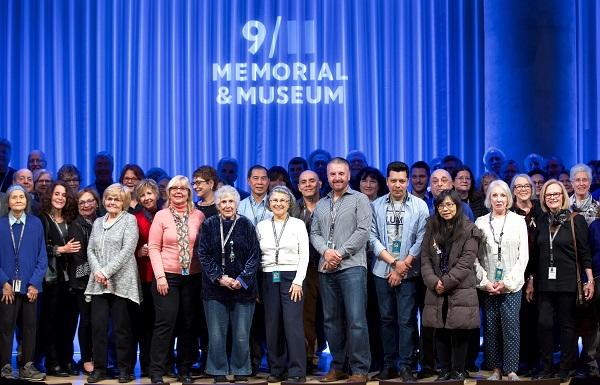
[(230, 254)]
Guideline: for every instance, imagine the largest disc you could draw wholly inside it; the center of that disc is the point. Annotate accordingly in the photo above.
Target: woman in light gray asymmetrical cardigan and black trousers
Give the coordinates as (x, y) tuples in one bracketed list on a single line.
[(114, 281)]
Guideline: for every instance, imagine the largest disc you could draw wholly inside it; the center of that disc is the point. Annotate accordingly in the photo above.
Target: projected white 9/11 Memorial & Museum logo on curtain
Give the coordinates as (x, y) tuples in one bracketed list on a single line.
[(280, 82)]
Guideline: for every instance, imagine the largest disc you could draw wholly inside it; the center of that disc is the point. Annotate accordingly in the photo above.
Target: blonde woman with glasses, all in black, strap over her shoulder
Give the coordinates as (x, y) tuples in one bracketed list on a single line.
[(561, 241)]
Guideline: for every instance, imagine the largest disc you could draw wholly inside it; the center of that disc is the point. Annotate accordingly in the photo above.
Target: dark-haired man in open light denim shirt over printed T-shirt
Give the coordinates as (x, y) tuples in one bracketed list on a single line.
[(396, 233)]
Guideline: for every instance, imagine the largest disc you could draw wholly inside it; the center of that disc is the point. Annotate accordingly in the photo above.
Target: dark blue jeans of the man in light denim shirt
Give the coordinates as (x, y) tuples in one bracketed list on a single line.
[(397, 308)]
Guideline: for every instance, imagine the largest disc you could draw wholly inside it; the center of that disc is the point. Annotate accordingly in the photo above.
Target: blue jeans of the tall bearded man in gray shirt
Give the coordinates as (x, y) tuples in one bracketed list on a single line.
[(344, 296)]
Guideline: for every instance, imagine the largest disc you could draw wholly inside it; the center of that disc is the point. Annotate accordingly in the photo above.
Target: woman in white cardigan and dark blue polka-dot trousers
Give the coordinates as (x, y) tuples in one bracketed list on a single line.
[(502, 261)]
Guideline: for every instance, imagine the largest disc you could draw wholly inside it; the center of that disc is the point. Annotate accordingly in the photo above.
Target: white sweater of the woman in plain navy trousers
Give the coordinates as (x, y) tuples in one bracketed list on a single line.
[(293, 247)]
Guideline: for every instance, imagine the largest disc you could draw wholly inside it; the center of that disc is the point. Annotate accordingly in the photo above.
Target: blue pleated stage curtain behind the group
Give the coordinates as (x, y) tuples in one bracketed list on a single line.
[(136, 78)]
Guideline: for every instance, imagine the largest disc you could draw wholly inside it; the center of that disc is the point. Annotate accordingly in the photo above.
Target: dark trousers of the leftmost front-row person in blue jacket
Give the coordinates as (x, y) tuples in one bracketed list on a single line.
[(27, 312)]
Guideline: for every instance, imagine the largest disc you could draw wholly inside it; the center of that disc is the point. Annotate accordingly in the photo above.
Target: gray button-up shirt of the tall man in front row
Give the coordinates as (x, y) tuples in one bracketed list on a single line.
[(352, 215)]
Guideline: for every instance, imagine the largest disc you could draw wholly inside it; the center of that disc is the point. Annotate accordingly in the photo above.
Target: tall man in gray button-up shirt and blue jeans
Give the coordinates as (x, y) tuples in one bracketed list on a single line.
[(339, 232)]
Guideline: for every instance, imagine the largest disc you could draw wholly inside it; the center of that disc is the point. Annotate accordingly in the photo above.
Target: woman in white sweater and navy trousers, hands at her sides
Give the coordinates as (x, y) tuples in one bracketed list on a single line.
[(284, 248)]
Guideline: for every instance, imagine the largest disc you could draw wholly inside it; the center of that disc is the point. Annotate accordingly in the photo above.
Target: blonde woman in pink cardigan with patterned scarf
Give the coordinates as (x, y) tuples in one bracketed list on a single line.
[(177, 273)]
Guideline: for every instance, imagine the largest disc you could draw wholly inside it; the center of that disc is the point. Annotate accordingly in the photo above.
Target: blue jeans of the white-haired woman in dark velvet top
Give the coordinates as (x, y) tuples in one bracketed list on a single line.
[(219, 316)]
